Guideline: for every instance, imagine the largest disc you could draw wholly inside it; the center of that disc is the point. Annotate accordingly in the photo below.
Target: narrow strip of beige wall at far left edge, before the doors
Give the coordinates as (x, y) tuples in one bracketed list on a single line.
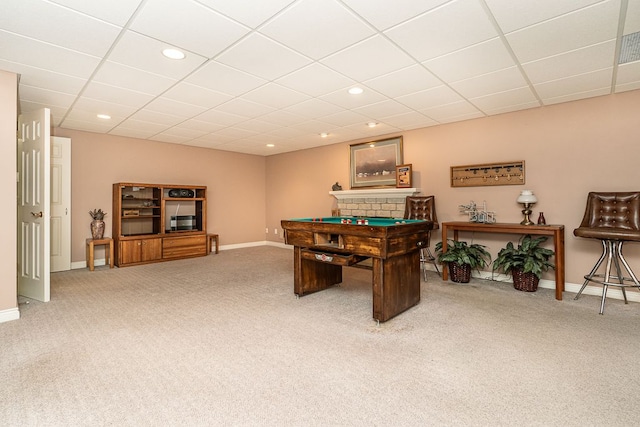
[(8, 216)]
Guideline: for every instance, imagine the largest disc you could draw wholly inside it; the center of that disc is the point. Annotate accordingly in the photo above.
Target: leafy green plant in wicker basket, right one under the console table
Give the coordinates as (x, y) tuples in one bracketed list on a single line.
[(526, 263)]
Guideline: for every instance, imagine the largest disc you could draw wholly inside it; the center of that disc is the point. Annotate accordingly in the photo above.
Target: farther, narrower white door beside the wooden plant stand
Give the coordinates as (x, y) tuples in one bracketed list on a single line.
[(60, 204)]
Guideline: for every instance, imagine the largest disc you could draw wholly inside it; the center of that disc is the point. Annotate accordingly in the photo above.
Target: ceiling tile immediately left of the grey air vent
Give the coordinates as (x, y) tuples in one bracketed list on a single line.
[(578, 61)]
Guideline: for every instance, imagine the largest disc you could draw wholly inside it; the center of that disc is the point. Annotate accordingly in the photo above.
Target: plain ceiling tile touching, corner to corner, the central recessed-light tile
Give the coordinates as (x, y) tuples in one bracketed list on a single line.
[(362, 61)]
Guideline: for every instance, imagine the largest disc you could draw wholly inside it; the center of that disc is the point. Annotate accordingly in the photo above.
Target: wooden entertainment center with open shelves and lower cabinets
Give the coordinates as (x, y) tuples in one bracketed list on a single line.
[(158, 222)]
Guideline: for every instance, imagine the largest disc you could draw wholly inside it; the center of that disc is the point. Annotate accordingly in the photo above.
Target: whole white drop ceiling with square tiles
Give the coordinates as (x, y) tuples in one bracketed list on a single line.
[(277, 72)]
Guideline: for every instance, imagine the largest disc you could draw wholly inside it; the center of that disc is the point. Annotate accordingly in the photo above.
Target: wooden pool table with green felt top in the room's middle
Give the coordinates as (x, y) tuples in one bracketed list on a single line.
[(322, 246)]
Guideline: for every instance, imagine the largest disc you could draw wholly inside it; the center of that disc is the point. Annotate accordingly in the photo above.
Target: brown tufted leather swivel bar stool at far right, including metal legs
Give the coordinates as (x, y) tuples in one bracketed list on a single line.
[(613, 218)]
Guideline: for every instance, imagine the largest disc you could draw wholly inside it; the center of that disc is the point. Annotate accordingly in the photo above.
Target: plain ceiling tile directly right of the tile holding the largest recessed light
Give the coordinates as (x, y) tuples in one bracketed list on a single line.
[(224, 79)]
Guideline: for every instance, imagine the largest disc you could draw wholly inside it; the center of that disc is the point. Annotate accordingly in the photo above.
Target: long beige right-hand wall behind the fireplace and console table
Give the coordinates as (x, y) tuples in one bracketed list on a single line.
[(568, 149)]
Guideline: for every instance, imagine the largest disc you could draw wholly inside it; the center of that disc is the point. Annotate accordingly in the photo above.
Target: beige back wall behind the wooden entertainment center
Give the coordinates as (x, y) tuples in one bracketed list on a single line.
[(235, 183)]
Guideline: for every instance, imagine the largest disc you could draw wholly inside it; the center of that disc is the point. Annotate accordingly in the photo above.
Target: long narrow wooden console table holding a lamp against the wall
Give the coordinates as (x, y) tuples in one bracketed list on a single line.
[(555, 231)]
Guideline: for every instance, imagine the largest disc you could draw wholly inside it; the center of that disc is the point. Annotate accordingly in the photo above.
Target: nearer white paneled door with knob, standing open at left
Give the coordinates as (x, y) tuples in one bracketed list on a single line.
[(33, 205)]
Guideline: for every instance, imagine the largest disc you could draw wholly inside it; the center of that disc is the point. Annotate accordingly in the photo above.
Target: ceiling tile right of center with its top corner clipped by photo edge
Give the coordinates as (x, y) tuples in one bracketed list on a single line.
[(433, 34)]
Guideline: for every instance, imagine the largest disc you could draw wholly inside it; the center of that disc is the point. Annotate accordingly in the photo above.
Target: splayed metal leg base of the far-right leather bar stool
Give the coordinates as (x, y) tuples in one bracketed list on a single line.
[(612, 251)]
